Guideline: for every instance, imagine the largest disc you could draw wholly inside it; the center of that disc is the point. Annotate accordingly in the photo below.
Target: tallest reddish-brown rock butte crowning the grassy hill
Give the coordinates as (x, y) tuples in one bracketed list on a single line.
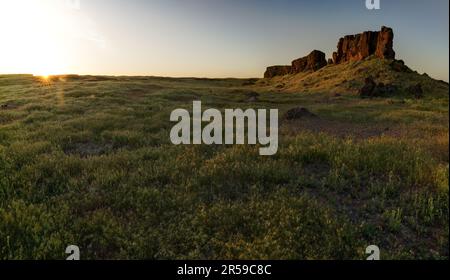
[(359, 46)]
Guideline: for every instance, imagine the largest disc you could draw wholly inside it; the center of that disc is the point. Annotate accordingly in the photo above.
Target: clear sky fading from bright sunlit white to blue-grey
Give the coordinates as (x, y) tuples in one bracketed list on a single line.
[(207, 38)]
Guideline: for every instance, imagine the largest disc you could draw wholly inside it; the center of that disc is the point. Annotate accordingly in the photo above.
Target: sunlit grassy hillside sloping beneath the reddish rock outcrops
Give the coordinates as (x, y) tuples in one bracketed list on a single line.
[(348, 78)]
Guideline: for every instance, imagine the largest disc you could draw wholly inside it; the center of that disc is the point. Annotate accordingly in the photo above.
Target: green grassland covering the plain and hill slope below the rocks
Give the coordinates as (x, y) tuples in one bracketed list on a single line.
[(87, 160)]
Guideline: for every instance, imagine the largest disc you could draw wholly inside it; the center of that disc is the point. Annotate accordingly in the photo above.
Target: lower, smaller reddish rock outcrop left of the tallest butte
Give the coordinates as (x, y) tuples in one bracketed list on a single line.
[(312, 62)]
